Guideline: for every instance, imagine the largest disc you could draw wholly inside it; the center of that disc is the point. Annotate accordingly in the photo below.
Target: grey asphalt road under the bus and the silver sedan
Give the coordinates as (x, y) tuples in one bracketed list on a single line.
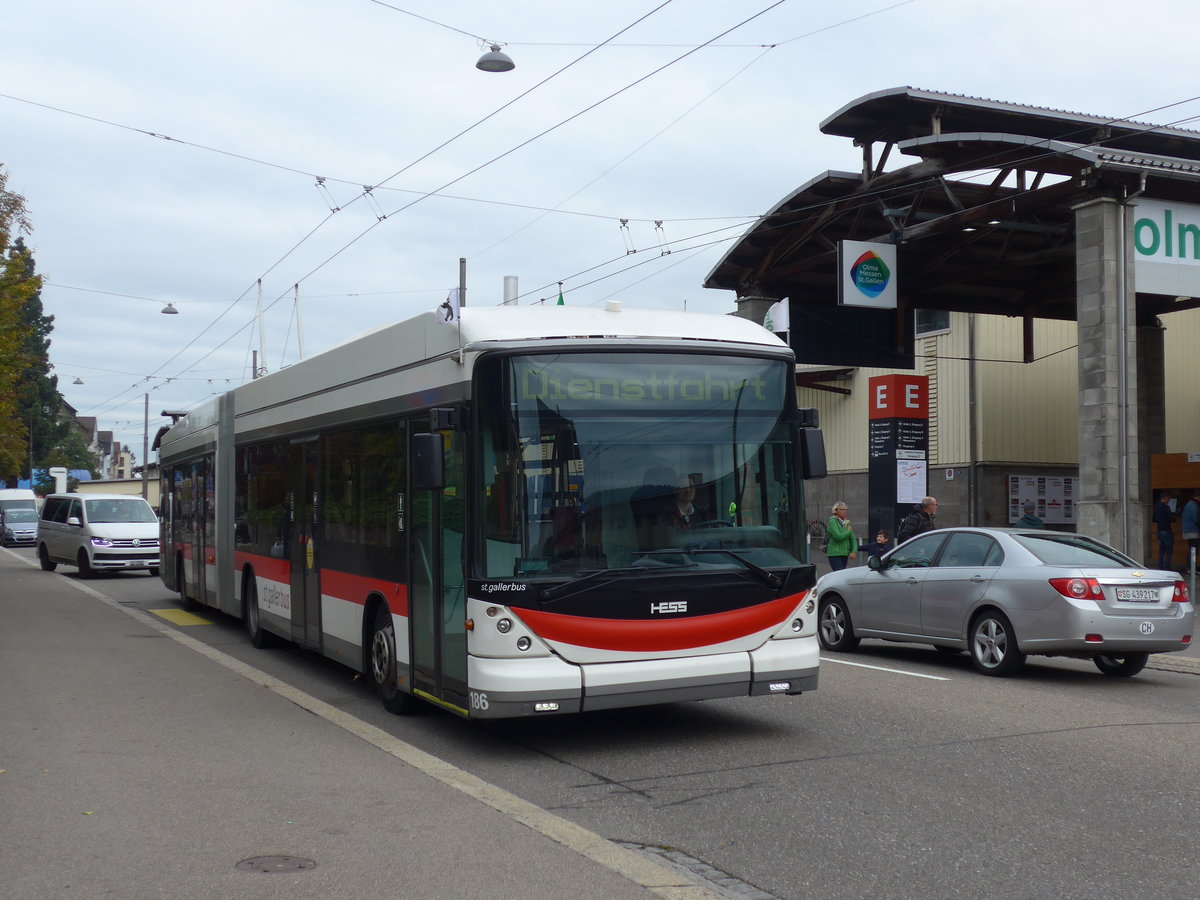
[(907, 775)]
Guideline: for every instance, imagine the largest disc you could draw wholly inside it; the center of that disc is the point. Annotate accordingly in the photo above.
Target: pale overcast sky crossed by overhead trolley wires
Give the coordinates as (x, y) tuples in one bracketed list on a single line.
[(170, 153)]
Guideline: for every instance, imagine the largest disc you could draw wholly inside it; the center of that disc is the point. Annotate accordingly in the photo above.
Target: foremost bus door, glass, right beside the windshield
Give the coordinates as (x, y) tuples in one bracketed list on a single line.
[(437, 595)]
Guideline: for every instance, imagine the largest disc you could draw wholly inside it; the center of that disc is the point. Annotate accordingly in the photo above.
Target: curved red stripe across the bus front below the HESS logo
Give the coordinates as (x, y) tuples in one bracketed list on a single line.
[(653, 635)]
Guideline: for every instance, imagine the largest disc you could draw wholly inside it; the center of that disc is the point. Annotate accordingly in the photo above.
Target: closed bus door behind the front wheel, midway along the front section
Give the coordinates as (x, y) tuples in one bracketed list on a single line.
[(305, 550)]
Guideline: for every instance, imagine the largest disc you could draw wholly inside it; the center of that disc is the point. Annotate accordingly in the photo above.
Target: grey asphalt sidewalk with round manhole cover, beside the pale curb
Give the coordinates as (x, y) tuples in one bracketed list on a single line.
[(137, 763)]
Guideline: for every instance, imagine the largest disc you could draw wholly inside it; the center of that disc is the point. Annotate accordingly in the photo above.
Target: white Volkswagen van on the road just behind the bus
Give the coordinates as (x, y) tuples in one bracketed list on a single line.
[(98, 532)]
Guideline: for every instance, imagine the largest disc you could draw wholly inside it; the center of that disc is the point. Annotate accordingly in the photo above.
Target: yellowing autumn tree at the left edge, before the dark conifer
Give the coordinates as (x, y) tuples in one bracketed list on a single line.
[(19, 287)]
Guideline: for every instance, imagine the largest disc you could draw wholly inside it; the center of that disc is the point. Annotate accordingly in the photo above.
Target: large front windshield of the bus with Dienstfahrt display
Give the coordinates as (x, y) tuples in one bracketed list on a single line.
[(595, 463)]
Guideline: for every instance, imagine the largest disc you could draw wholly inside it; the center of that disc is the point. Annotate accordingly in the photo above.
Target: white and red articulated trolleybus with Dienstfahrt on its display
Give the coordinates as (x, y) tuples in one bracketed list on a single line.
[(526, 512)]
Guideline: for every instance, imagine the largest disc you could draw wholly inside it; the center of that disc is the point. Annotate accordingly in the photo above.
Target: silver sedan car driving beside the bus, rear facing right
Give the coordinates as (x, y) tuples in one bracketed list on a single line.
[(1004, 595)]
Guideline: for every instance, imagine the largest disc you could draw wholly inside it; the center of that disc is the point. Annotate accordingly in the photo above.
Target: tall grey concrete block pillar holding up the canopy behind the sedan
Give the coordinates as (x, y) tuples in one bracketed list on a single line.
[(1113, 502)]
